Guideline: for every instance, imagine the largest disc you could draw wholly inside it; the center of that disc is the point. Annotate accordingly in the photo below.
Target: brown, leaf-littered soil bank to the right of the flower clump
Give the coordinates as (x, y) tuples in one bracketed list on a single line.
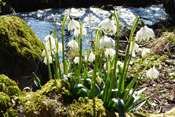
[(165, 101)]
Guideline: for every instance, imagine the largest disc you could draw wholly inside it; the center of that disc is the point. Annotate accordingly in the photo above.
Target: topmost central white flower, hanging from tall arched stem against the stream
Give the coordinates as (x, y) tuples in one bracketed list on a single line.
[(108, 25)]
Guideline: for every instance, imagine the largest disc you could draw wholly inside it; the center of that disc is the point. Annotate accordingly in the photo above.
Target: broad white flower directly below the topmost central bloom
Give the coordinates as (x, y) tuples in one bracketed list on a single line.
[(105, 42)]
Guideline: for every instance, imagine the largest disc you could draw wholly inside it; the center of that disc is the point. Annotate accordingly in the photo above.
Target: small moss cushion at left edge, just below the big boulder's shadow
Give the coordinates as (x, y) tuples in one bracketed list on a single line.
[(9, 86)]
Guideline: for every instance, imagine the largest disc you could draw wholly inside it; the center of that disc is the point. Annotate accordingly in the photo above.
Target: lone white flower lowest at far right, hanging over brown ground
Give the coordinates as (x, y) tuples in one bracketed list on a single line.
[(152, 73)]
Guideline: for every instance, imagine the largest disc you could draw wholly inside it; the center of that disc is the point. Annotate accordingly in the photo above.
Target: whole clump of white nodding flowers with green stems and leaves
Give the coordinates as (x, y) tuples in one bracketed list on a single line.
[(100, 73)]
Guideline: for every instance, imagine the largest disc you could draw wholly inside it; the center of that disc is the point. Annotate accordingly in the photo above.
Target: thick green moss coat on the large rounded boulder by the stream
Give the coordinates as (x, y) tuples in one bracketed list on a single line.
[(18, 44)]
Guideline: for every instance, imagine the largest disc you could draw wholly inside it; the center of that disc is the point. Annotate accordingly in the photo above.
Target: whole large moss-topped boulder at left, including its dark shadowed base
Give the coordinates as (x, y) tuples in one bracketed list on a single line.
[(20, 52)]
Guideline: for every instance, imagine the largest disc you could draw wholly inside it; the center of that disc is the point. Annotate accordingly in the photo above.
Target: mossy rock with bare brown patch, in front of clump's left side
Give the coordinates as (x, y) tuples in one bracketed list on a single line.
[(48, 101)]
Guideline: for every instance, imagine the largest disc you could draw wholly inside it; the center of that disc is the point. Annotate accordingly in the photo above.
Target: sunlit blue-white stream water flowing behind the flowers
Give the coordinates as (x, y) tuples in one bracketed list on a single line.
[(44, 21)]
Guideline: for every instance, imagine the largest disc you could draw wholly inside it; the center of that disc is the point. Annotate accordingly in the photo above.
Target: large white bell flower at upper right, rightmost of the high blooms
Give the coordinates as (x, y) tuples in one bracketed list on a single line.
[(144, 34)]
